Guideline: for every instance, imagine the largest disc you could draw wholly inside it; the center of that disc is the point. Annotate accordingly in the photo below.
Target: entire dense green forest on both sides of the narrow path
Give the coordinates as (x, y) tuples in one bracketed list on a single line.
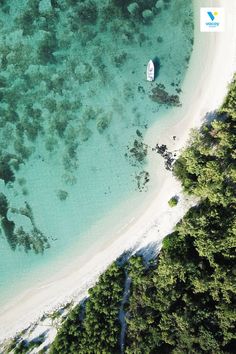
[(184, 301)]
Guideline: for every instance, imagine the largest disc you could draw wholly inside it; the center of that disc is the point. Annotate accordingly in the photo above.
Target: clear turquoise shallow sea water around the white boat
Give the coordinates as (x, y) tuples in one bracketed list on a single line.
[(73, 100)]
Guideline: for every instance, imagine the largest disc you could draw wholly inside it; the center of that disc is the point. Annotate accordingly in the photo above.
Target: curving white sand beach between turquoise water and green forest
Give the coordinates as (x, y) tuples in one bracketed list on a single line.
[(211, 69)]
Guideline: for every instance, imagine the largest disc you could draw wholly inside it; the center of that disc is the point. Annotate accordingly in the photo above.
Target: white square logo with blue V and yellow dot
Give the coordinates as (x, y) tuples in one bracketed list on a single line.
[(212, 19)]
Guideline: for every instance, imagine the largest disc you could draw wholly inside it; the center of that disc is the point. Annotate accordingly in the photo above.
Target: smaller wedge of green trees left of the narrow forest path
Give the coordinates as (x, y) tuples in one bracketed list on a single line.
[(95, 327)]
